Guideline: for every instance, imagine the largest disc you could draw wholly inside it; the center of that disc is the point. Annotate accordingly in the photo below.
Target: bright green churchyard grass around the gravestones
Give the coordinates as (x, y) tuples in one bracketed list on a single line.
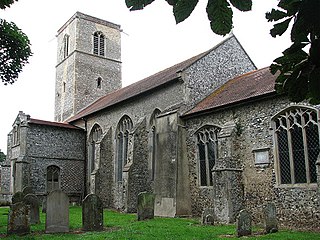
[(126, 226)]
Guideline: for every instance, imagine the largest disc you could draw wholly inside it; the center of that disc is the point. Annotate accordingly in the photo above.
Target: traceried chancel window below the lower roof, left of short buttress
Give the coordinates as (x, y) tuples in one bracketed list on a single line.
[(207, 144)]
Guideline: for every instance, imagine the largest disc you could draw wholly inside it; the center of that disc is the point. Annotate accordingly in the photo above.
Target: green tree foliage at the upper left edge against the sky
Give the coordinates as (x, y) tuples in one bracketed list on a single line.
[(14, 48)]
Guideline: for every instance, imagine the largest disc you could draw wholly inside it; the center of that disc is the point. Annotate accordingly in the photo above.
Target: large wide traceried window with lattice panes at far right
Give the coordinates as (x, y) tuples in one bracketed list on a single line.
[(297, 145)]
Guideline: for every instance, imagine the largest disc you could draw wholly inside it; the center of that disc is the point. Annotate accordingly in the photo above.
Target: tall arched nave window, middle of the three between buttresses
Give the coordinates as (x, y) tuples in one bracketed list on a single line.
[(123, 130)]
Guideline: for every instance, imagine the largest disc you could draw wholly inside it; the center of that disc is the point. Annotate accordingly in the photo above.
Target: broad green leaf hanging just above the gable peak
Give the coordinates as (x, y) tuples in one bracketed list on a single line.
[(220, 15)]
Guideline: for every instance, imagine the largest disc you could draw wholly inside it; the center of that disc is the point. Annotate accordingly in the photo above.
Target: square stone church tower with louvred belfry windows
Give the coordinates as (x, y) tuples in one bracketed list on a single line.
[(88, 63)]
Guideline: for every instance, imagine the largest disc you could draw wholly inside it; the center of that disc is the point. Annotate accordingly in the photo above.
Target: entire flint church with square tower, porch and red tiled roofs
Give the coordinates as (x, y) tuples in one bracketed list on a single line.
[(208, 132)]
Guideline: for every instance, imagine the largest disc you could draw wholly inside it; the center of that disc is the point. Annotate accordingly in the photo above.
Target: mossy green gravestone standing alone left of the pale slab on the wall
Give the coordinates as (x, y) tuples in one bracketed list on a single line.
[(145, 209)]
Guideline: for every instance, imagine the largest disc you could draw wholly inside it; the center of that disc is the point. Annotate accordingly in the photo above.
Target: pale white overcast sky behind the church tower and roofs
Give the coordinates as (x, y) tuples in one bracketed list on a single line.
[(151, 41)]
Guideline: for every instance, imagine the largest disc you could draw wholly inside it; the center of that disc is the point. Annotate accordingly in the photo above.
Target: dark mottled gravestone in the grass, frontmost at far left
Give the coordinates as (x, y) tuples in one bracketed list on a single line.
[(18, 219)]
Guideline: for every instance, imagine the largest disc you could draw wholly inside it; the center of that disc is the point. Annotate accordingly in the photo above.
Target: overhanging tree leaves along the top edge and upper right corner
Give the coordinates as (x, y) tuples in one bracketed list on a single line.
[(298, 70)]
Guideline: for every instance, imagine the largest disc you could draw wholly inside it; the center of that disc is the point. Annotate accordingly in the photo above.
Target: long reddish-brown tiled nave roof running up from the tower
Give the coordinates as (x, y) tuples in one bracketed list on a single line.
[(143, 86)]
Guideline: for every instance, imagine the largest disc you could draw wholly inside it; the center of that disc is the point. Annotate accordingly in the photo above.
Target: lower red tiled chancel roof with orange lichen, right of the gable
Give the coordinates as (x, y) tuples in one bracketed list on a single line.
[(245, 87)]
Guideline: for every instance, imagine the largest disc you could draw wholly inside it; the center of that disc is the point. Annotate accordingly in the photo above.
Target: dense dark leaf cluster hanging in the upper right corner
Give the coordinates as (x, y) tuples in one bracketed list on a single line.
[(299, 71)]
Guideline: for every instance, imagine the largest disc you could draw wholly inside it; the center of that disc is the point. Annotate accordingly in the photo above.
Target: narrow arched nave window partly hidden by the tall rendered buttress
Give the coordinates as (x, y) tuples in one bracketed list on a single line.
[(152, 141)]
